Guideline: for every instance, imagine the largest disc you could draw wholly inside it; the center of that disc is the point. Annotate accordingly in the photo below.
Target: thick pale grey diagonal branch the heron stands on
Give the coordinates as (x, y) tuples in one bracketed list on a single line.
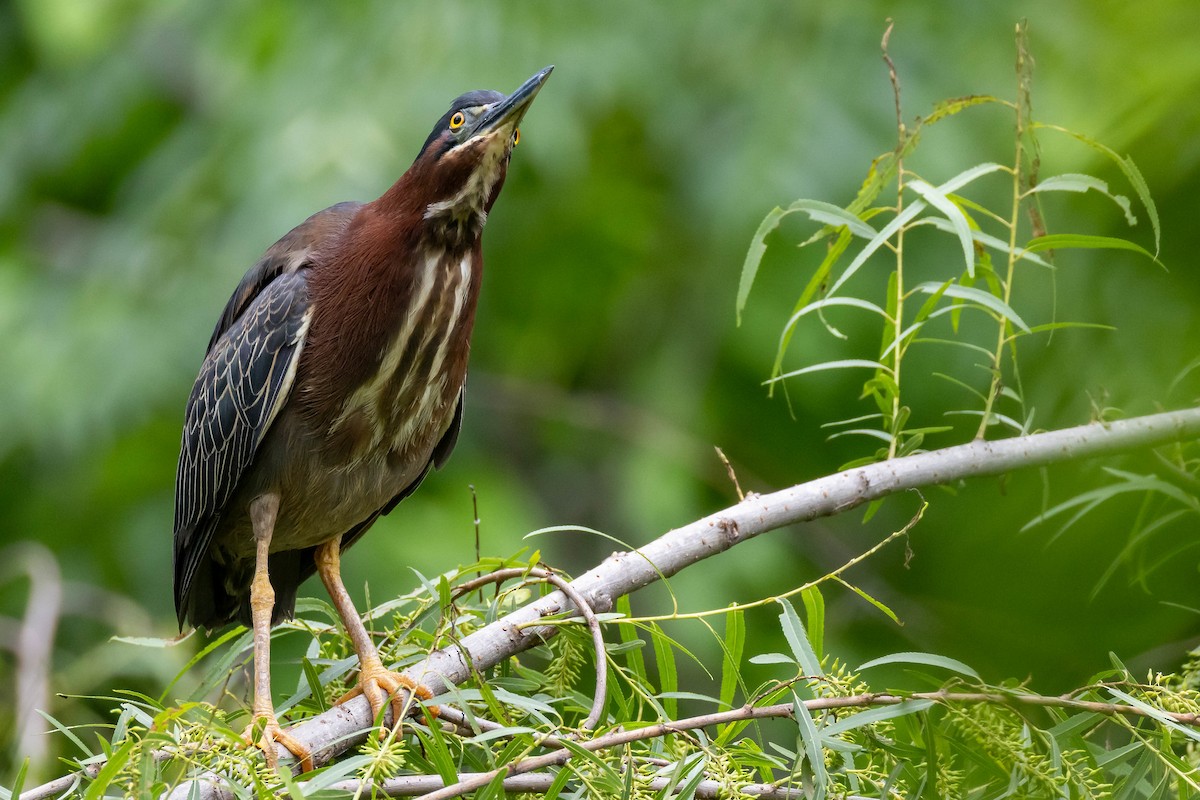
[(346, 726)]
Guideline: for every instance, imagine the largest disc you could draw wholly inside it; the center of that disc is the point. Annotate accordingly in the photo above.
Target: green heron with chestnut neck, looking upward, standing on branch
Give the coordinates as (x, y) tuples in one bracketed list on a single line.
[(333, 384)]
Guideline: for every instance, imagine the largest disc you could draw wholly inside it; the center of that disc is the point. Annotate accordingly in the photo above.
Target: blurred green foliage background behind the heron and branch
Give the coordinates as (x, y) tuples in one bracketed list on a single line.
[(151, 152)]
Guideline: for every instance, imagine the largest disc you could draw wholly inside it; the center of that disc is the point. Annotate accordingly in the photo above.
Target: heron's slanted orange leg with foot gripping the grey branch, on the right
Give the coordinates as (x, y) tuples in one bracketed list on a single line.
[(375, 681)]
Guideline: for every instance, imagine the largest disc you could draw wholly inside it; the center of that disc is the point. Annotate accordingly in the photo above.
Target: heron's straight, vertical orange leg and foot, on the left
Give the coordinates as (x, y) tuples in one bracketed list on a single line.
[(265, 729)]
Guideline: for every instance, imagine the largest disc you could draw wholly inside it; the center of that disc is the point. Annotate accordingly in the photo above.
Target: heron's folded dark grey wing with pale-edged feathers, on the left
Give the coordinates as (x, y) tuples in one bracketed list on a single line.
[(244, 382)]
